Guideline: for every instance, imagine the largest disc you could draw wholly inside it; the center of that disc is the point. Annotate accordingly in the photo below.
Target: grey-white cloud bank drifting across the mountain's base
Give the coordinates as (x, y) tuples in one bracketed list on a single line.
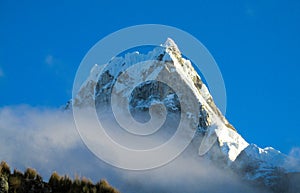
[(47, 140)]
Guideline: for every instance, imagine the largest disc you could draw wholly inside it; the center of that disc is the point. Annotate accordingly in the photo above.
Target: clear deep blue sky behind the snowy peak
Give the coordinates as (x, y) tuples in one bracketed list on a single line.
[(255, 43)]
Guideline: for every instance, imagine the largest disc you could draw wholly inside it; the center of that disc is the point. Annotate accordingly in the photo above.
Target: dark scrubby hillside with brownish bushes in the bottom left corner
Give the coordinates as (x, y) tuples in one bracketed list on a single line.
[(31, 182)]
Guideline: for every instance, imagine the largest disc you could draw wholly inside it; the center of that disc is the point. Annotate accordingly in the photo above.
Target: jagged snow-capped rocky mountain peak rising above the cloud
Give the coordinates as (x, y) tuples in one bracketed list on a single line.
[(215, 139)]
